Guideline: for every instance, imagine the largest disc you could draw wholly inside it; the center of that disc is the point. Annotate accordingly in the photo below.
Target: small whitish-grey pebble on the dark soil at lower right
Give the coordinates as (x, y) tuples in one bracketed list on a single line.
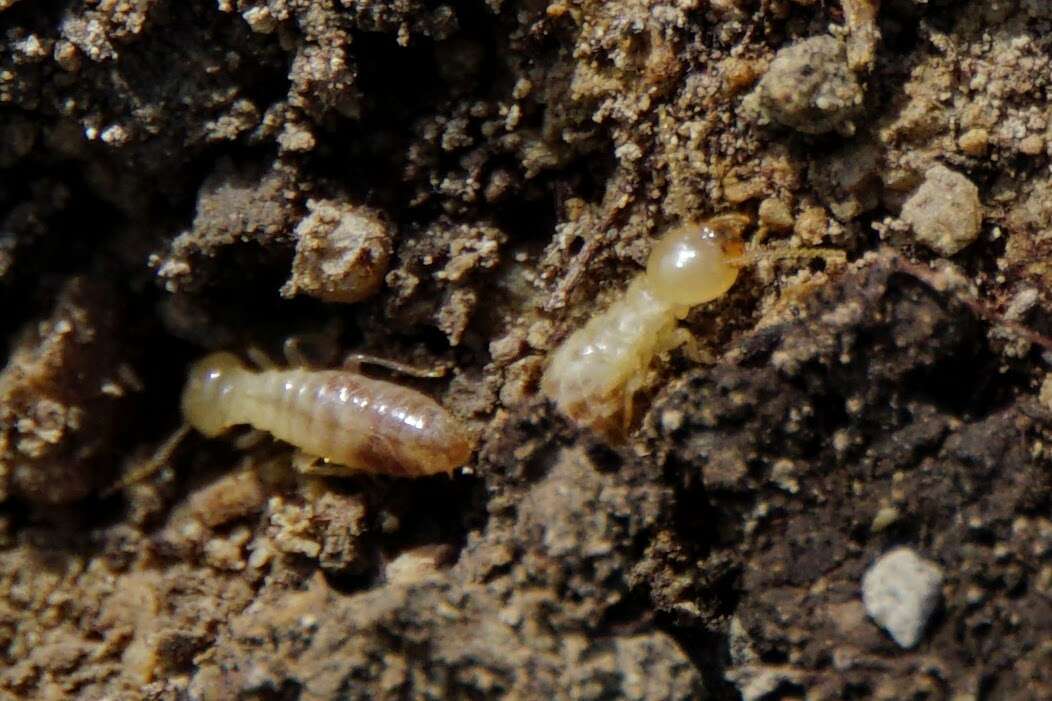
[(901, 592)]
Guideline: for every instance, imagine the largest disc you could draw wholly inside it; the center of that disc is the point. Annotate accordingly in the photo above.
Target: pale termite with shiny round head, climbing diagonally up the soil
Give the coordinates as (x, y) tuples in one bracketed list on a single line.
[(594, 376)]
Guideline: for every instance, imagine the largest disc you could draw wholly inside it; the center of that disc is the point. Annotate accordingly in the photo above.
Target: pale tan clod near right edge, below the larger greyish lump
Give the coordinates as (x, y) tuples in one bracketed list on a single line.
[(945, 212)]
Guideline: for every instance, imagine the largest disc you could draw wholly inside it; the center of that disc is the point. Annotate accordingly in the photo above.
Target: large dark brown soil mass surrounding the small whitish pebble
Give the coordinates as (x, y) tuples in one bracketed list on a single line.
[(821, 443)]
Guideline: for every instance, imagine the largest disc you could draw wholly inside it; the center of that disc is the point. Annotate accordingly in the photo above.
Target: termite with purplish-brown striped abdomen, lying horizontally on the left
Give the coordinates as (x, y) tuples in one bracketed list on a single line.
[(352, 423)]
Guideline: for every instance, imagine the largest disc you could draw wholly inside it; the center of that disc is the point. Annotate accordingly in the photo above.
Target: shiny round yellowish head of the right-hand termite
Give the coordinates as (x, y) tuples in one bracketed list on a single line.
[(698, 262)]
